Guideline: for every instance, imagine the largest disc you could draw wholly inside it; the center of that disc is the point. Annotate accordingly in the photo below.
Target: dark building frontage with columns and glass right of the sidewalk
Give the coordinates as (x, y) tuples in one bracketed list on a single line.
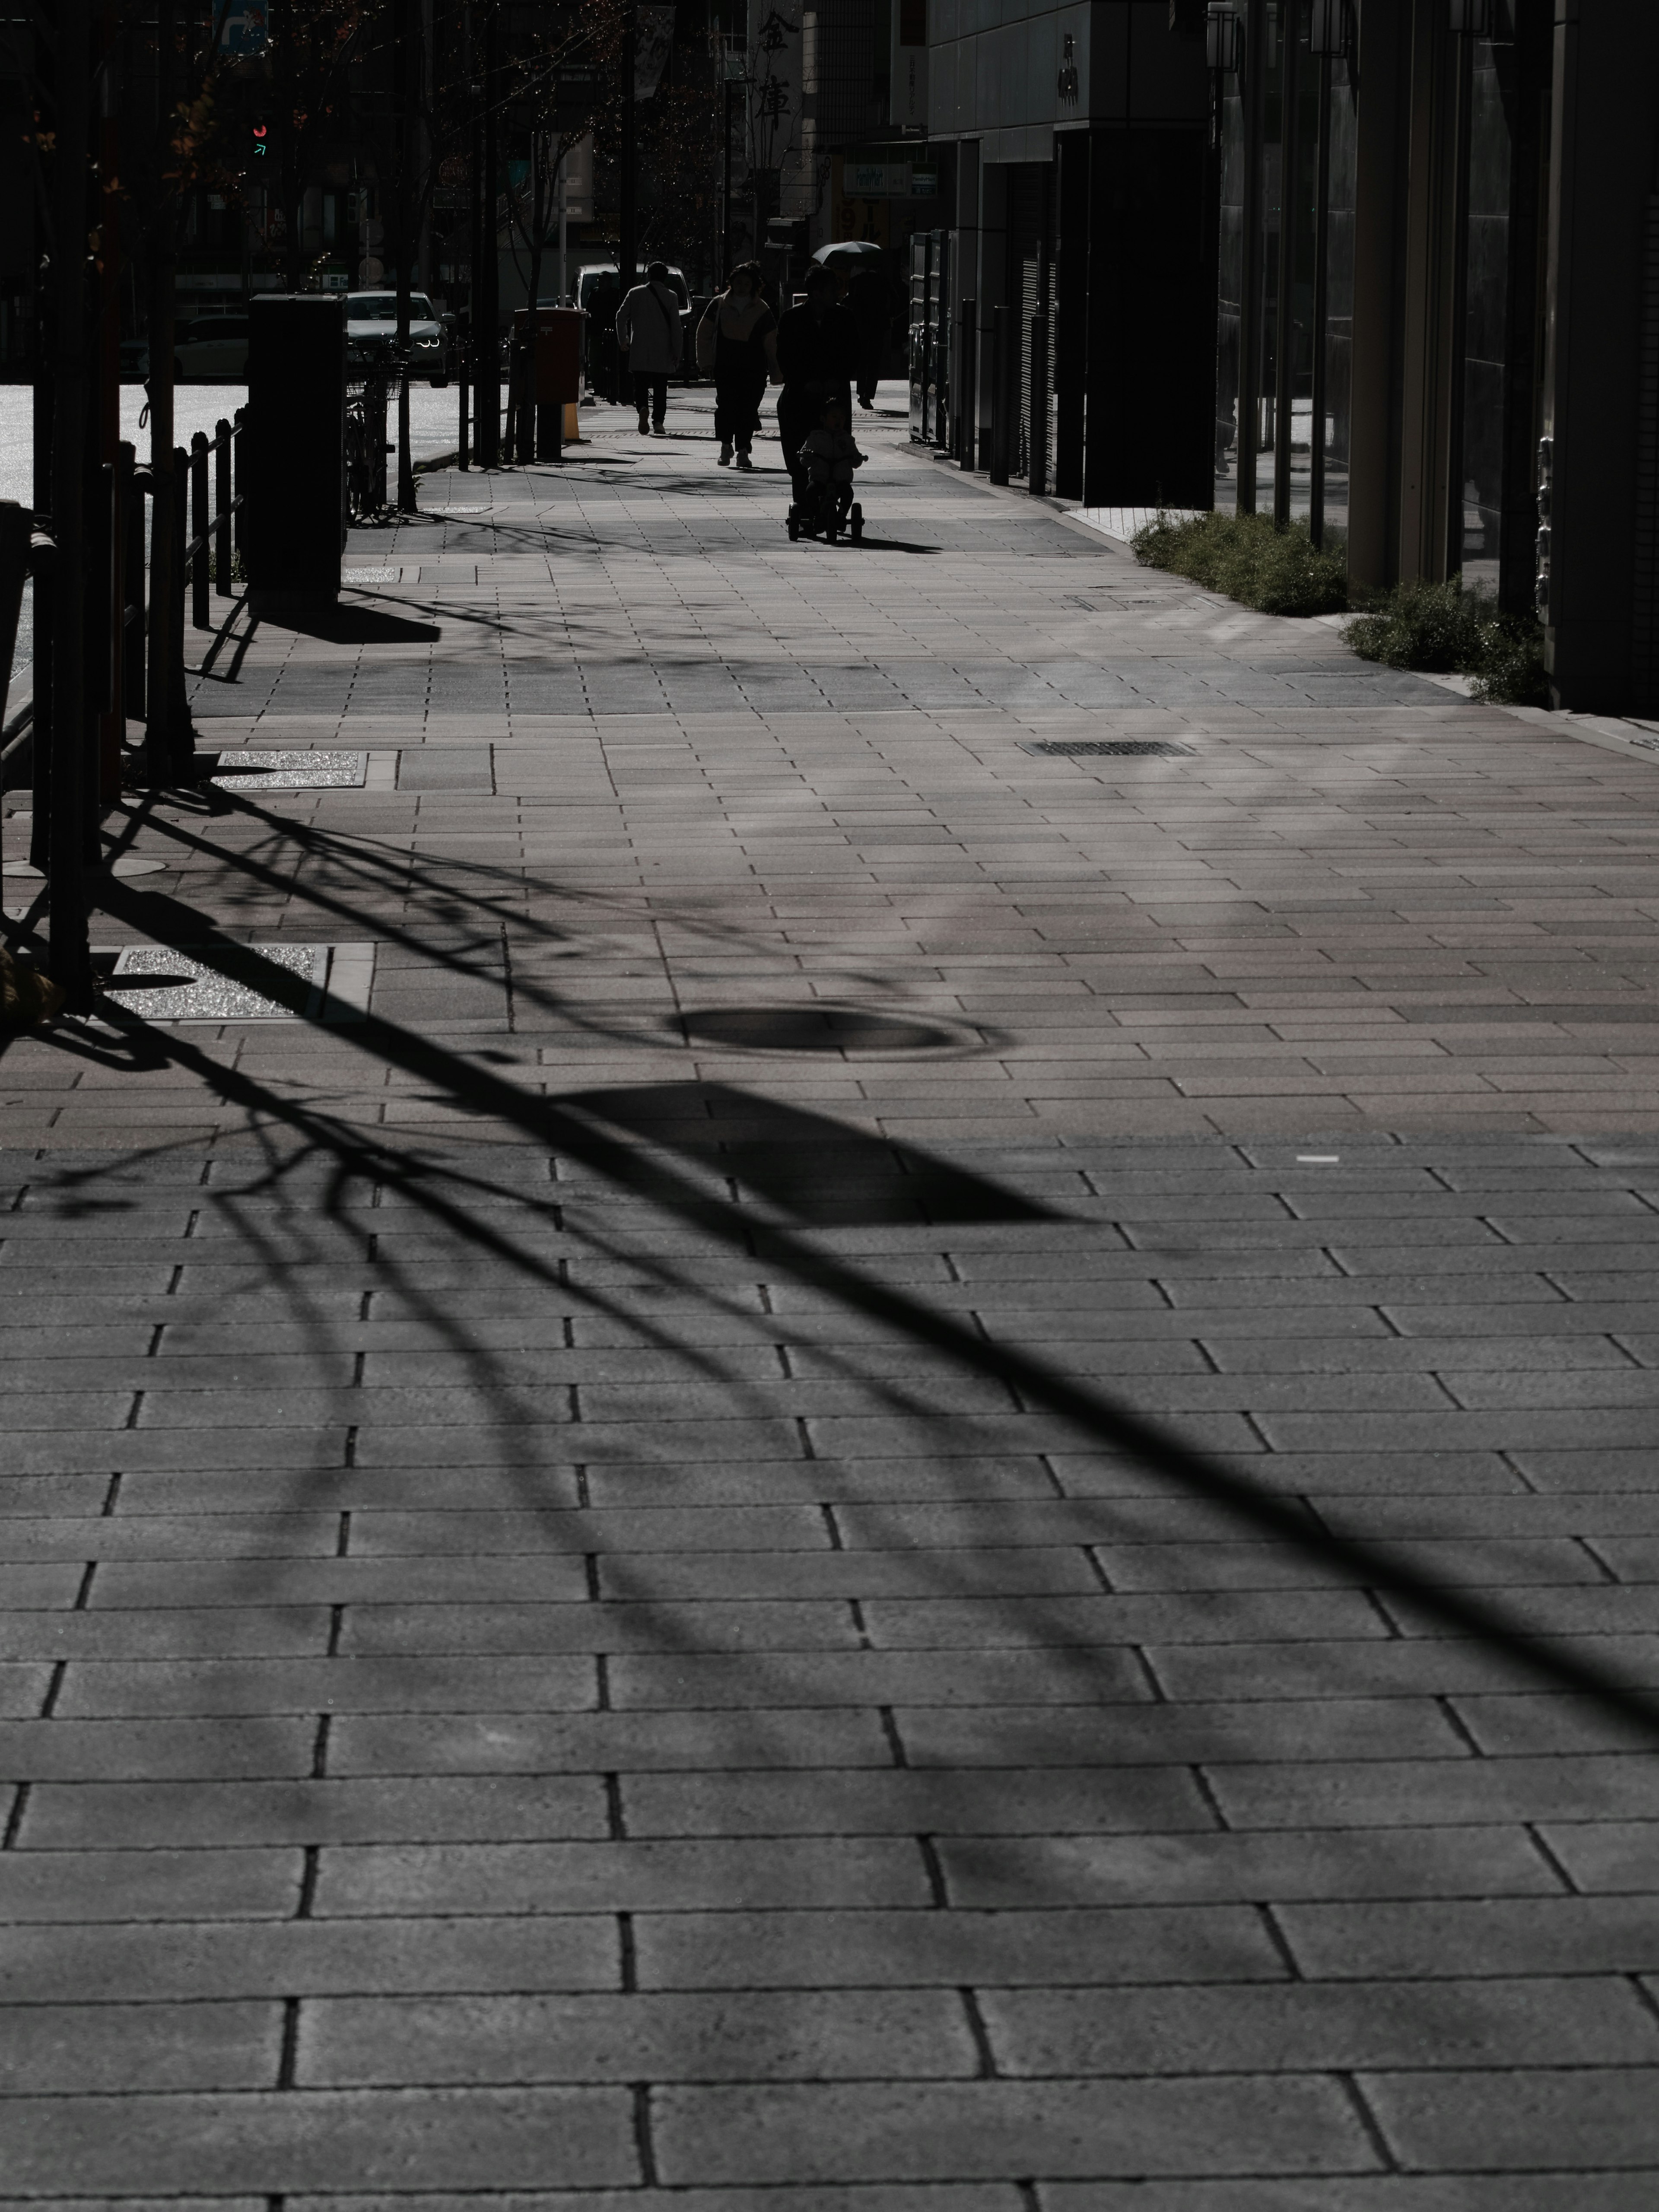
[(1388, 269)]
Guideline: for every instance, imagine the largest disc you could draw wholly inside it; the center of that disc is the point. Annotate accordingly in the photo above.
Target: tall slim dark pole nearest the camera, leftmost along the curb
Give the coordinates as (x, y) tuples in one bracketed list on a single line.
[(67, 645)]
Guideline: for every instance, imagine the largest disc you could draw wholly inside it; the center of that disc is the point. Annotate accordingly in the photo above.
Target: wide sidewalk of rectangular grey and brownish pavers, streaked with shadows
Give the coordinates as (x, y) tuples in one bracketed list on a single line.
[(589, 1623)]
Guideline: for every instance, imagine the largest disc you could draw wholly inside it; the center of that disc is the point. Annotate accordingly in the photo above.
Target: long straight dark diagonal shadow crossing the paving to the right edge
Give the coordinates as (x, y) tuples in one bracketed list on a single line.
[(585, 1127)]
